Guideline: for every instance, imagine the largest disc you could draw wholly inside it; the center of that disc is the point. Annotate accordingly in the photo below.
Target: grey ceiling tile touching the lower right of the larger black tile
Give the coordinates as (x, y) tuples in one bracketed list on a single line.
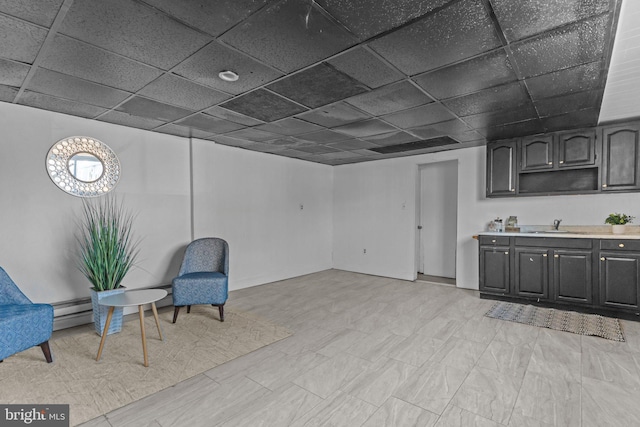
[(389, 99)]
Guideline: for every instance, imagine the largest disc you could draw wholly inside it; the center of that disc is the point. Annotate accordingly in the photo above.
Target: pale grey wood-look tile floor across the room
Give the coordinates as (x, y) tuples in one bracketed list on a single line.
[(371, 351)]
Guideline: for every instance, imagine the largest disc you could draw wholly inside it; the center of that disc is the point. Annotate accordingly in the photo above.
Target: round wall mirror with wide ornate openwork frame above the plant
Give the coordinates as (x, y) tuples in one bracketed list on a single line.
[(83, 166)]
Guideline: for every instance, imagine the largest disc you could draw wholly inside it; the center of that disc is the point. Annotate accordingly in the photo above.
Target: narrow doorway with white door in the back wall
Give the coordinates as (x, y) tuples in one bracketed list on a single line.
[(437, 221)]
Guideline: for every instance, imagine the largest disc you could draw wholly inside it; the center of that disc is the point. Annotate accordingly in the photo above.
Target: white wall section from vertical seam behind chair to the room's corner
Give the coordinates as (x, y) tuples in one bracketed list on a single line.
[(253, 201)]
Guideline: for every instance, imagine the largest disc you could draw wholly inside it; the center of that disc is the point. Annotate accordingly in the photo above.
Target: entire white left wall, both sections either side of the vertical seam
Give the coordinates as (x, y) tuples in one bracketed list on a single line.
[(251, 199)]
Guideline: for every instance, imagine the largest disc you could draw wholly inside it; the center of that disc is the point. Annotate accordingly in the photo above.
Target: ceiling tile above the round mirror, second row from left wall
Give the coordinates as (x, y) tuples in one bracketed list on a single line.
[(75, 89)]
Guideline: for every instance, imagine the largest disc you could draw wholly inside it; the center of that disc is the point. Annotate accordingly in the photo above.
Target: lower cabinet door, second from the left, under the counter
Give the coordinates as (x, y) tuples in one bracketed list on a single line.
[(531, 273)]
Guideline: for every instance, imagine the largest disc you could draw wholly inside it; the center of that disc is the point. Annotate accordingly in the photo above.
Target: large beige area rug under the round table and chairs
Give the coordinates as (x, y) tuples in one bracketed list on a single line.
[(196, 343)]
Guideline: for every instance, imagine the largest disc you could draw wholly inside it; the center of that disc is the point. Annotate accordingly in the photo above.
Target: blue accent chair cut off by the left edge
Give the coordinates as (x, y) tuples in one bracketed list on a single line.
[(23, 324)]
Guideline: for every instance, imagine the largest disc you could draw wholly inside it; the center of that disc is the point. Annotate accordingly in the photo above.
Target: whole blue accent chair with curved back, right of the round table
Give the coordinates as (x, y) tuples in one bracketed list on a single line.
[(203, 277)]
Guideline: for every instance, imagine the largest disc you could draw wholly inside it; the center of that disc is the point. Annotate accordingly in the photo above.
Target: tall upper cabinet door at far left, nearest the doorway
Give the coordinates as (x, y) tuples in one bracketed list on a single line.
[(501, 173)]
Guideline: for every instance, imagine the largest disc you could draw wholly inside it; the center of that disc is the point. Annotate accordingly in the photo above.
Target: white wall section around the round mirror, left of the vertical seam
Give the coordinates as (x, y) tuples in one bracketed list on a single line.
[(37, 219)]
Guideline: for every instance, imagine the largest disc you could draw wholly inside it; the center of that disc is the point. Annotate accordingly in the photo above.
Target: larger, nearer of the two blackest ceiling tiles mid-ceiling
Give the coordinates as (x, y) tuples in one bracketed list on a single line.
[(319, 85)]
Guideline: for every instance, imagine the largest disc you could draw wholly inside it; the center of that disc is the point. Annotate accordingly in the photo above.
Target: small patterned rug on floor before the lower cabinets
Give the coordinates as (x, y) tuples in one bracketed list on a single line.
[(568, 321)]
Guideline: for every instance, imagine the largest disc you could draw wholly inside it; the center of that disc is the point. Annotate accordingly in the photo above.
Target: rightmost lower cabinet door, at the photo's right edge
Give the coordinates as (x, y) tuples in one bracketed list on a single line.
[(619, 279)]
